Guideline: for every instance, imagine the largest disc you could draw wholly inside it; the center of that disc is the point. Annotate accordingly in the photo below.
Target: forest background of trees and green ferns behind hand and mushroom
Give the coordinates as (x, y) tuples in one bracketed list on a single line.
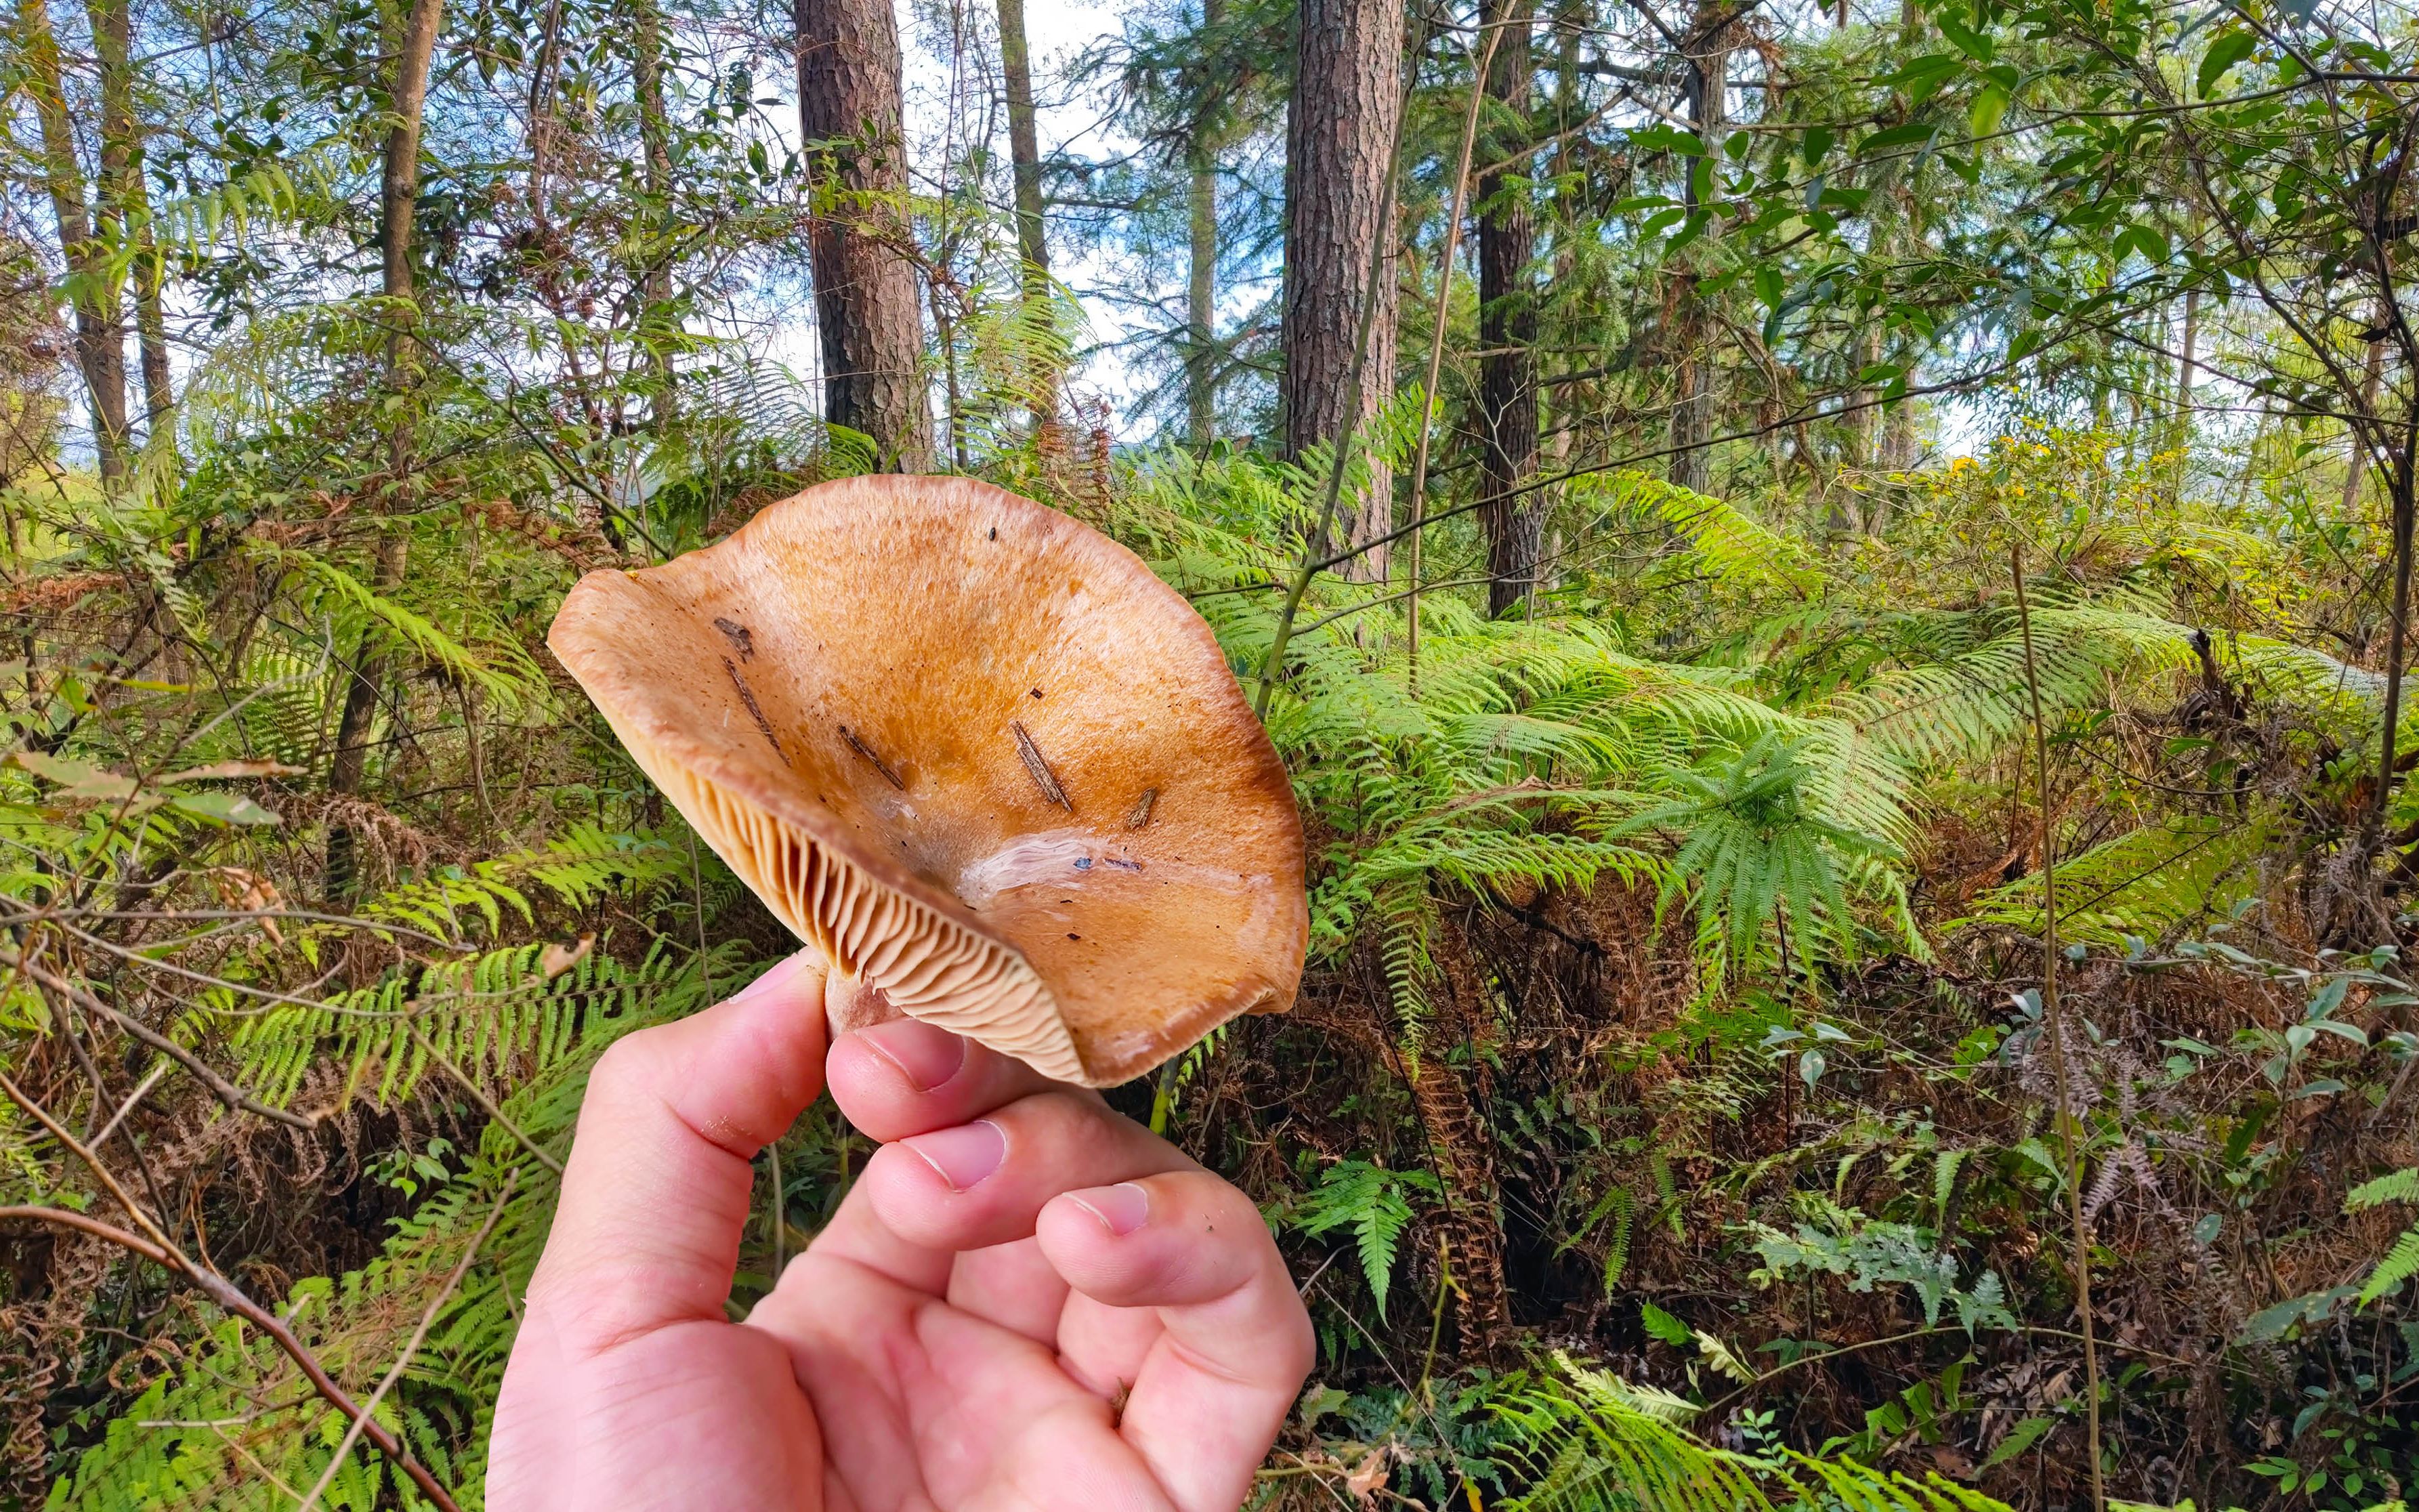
[(1832, 587)]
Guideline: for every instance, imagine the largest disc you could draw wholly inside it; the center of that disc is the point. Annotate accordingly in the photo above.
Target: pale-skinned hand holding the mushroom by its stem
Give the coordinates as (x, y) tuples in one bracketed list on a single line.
[(1024, 1303)]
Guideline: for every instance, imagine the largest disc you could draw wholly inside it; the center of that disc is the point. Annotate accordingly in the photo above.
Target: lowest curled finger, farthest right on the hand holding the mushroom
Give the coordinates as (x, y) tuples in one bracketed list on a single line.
[(1235, 1344)]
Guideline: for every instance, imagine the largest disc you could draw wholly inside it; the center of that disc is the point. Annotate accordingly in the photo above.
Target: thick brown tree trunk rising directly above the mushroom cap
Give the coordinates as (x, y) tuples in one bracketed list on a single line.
[(860, 243)]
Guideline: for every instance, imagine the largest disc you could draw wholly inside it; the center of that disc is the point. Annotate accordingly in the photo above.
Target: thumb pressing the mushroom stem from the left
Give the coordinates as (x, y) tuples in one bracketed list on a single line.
[(659, 1179)]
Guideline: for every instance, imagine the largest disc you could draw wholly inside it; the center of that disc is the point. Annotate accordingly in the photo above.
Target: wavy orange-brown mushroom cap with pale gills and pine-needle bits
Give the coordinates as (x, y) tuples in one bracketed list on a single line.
[(976, 754)]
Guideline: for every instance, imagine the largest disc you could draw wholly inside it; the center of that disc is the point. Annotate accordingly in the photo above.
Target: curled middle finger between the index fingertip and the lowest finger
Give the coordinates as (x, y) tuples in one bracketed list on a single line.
[(986, 1182)]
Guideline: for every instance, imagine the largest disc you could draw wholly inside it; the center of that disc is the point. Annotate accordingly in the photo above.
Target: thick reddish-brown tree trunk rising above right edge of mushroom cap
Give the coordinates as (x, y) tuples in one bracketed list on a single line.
[(1339, 132)]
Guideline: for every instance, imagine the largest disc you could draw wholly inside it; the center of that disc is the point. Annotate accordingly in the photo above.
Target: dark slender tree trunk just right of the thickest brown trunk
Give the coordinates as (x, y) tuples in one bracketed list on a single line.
[(1513, 521)]
